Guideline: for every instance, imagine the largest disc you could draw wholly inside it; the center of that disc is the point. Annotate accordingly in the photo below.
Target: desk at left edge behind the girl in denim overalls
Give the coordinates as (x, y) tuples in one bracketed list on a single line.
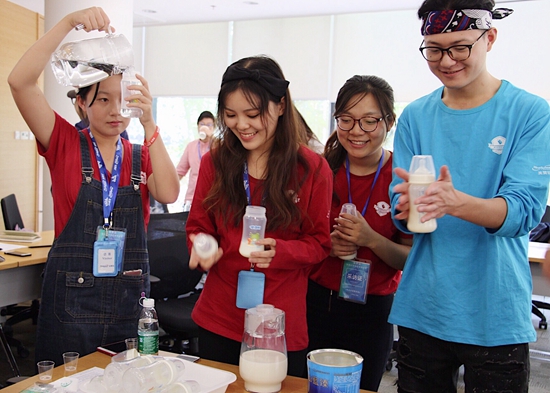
[(20, 277)]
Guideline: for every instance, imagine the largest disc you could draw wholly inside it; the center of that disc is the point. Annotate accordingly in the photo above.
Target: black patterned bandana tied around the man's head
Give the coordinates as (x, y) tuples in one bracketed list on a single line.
[(447, 21)]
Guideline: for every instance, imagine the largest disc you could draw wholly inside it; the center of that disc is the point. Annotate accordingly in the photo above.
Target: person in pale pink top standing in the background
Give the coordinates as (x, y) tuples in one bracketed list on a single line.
[(190, 161)]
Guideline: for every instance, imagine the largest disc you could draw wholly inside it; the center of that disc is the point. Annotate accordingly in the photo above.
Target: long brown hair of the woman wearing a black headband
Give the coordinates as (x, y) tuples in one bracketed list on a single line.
[(227, 196)]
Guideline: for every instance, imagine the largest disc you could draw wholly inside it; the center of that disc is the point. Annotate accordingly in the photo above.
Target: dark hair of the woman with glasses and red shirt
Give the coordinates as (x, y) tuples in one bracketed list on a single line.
[(349, 95)]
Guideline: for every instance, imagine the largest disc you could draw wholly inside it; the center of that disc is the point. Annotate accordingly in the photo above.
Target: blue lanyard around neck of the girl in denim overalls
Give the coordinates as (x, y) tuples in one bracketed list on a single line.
[(110, 188)]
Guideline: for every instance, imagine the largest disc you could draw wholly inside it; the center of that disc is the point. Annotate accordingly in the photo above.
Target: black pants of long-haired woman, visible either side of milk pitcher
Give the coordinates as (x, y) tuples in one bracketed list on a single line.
[(221, 349)]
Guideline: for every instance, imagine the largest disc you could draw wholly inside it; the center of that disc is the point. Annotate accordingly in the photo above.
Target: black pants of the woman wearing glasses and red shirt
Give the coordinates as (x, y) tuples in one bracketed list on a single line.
[(361, 328)]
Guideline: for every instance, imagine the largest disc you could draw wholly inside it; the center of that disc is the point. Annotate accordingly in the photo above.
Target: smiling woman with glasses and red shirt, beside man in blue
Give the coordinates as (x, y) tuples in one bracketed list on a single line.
[(362, 170)]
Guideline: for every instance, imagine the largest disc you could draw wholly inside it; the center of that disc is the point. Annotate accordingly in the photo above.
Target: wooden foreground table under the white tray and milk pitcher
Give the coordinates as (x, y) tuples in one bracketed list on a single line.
[(97, 359)]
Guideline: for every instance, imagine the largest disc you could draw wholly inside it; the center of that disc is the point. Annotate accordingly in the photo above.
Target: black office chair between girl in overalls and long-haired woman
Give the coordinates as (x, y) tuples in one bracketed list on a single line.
[(172, 282)]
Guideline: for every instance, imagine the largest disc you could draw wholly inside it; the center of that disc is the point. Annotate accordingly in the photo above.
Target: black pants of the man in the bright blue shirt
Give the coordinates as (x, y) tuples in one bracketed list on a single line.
[(427, 364)]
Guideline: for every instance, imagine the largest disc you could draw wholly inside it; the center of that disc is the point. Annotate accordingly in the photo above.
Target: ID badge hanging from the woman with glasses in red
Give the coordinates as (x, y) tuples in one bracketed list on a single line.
[(354, 282)]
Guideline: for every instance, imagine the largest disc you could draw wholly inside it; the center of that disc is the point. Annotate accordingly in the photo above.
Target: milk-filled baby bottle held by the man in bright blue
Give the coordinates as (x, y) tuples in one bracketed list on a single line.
[(421, 175)]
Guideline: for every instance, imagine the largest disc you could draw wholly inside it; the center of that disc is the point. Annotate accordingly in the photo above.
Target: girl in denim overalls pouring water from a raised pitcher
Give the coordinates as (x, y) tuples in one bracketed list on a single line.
[(80, 308)]
